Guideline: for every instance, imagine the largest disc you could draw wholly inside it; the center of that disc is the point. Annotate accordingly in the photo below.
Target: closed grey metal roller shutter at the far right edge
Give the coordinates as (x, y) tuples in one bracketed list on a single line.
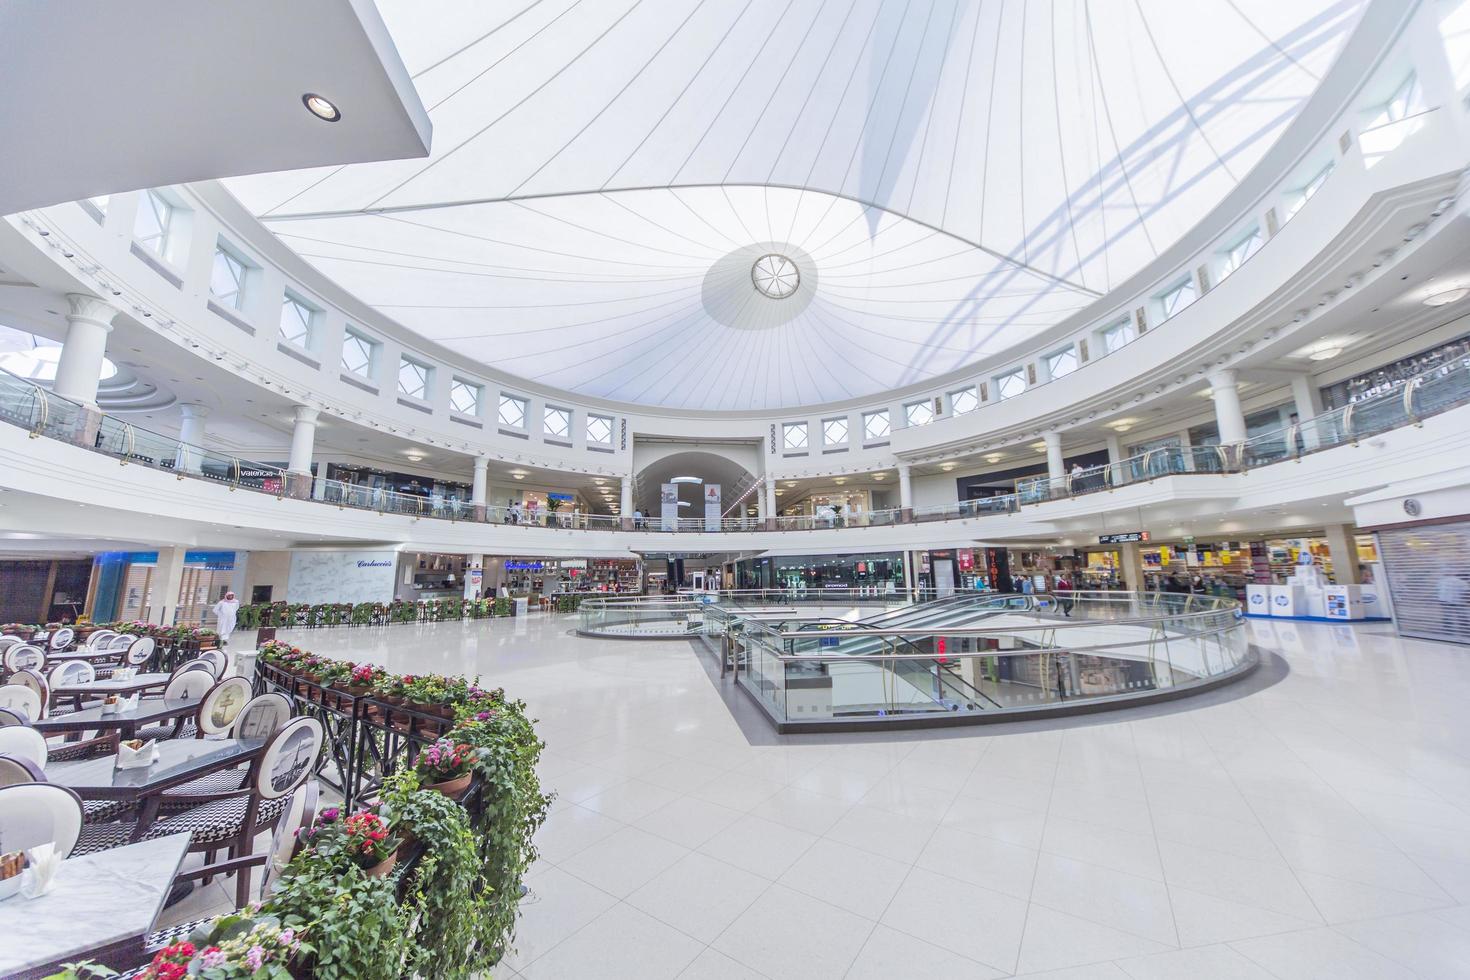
[(1430, 577)]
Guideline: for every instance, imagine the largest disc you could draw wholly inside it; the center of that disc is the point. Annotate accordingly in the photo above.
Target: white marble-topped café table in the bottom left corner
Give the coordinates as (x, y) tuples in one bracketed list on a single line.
[(102, 907)]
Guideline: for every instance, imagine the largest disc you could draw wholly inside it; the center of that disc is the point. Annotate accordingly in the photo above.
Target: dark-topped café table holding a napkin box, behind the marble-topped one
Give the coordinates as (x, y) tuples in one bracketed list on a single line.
[(180, 762)]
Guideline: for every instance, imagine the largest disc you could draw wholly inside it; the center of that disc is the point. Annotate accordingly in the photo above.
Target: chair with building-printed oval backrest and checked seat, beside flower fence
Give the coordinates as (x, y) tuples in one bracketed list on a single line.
[(233, 819)]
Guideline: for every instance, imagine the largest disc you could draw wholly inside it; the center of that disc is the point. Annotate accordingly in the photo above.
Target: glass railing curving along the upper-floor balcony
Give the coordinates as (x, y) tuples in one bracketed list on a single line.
[(45, 414)]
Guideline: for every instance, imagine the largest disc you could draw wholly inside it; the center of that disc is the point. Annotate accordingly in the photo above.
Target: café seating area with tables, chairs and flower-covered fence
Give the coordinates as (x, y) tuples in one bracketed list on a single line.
[(115, 754)]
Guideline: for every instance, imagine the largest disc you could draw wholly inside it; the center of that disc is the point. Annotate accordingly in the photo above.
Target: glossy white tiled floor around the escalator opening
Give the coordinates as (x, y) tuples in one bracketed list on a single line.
[(1313, 822)]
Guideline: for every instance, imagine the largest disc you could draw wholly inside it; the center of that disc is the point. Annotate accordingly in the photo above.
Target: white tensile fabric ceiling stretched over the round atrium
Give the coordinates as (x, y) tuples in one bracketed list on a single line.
[(947, 177)]
